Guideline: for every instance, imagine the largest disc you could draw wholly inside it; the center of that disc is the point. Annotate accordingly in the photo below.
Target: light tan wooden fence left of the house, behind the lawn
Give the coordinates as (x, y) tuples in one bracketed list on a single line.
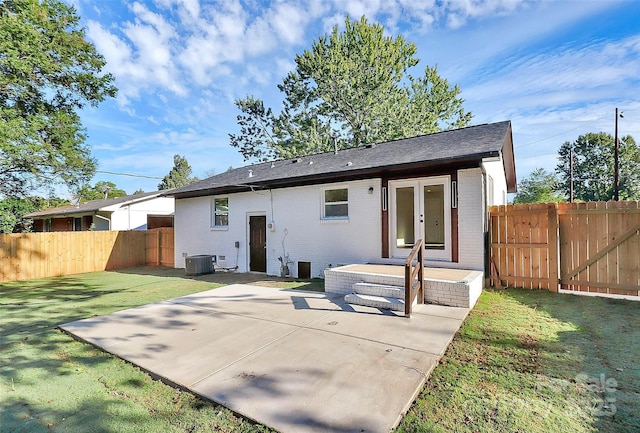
[(37, 255)]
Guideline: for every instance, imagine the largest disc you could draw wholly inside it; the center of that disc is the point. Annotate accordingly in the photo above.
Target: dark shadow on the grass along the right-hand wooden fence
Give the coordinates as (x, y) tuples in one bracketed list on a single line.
[(596, 350)]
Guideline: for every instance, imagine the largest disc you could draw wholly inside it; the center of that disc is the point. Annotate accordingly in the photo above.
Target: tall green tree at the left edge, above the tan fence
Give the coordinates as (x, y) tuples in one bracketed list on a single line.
[(48, 72)]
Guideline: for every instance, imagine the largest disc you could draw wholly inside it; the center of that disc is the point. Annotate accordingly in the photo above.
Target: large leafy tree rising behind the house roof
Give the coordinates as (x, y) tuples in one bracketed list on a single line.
[(350, 89)]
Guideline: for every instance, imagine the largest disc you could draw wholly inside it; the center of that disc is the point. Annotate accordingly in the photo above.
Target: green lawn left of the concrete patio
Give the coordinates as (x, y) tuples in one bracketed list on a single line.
[(52, 383)]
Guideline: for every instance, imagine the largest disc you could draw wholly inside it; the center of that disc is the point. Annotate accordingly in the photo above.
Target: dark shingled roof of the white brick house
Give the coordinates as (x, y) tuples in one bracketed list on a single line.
[(442, 149)]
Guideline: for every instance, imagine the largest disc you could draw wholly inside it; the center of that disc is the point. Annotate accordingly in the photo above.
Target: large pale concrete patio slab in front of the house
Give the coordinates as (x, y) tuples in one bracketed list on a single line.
[(293, 360)]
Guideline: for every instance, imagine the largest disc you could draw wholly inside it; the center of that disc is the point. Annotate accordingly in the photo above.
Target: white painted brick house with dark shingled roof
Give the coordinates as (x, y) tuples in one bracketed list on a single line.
[(361, 205)]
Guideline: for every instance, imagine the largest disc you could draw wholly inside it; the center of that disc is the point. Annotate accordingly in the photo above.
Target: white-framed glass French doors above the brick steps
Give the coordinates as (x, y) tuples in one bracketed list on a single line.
[(421, 209)]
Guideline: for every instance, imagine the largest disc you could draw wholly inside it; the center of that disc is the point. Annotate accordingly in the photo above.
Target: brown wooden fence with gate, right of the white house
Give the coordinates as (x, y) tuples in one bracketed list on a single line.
[(592, 247)]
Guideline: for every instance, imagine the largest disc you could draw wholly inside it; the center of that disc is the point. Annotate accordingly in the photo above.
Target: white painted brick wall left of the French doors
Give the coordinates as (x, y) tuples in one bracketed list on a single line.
[(298, 211)]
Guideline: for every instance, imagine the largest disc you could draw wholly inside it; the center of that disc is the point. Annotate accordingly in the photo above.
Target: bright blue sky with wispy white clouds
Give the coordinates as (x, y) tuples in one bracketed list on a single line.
[(556, 69)]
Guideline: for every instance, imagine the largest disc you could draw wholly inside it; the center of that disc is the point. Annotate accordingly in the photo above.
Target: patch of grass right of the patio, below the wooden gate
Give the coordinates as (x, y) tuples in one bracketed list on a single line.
[(531, 361)]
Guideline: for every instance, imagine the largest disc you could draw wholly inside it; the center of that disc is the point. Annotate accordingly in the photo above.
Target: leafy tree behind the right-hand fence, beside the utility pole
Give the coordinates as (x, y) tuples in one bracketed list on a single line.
[(593, 167)]
